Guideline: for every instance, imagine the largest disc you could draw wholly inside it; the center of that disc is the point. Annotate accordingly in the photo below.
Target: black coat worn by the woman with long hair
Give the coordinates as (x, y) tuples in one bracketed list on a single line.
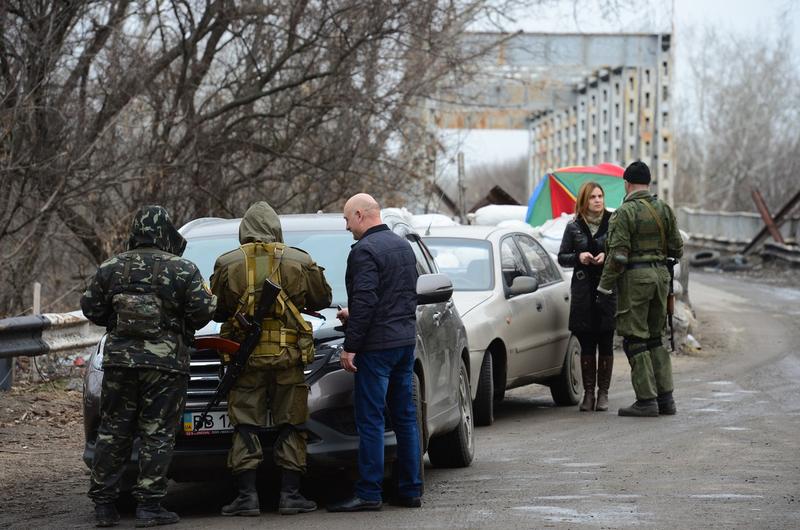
[(585, 314)]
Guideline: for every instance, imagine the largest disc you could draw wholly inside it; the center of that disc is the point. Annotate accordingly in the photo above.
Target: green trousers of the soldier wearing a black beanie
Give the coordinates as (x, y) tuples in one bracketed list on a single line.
[(641, 320)]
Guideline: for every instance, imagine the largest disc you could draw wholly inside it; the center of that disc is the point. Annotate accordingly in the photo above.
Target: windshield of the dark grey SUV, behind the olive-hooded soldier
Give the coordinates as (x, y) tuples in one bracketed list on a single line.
[(328, 248)]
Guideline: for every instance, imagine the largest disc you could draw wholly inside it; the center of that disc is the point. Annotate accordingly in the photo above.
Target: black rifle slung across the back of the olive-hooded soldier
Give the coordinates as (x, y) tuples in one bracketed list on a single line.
[(252, 327)]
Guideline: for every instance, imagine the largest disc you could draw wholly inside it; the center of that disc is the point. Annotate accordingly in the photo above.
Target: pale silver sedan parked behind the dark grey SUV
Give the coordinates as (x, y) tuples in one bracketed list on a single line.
[(514, 301)]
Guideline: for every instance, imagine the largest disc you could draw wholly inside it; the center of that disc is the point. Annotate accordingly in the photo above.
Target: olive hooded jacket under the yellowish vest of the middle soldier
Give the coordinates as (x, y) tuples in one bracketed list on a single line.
[(302, 279)]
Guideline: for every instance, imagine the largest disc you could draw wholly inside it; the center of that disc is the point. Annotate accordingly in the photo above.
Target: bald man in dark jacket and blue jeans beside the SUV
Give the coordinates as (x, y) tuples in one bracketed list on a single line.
[(380, 336)]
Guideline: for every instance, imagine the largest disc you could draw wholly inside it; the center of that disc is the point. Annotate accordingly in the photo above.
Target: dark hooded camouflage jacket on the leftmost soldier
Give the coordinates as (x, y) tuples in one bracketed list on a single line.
[(150, 321)]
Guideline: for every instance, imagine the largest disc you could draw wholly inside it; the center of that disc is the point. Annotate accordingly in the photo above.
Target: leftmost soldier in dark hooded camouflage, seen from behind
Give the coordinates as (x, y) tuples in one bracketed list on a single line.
[(151, 301)]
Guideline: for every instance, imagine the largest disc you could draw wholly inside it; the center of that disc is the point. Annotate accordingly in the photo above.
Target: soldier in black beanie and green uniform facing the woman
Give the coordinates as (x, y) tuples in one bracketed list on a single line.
[(642, 234)]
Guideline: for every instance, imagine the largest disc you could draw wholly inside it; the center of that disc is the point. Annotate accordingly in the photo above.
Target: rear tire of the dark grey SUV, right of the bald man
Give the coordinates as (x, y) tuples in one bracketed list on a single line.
[(457, 448)]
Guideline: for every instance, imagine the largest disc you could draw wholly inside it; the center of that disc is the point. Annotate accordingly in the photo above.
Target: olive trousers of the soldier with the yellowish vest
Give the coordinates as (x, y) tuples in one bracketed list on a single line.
[(284, 394)]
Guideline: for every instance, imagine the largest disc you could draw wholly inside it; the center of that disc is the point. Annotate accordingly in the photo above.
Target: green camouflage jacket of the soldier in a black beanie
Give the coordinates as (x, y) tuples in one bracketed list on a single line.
[(634, 236)]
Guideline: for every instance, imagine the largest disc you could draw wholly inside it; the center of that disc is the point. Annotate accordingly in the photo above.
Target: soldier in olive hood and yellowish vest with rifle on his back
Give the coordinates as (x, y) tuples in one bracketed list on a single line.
[(273, 378)]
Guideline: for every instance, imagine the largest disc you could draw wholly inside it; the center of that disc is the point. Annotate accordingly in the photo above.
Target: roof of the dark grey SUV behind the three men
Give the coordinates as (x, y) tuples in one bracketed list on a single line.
[(318, 222)]
